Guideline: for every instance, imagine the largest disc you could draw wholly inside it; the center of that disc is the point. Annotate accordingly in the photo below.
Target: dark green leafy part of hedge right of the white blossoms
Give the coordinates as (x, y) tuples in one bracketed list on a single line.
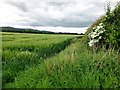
[(112, 26)]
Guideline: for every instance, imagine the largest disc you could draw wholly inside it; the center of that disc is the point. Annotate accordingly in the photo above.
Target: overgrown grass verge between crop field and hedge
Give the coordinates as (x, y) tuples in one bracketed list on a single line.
[(75, 67)]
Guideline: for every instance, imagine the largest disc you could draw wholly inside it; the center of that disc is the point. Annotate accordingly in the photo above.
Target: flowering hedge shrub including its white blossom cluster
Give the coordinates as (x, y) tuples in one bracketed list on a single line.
[(107, 32)]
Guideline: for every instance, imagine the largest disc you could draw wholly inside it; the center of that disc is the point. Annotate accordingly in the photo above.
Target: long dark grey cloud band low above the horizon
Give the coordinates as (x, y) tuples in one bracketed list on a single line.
[(63, 23)]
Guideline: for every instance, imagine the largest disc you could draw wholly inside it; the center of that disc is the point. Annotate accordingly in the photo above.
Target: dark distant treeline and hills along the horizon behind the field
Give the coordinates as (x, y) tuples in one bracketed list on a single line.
[(19, 30)]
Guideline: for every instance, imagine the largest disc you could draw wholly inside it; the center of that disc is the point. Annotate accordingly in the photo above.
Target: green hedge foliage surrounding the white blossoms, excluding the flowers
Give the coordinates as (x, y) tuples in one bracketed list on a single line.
[(111, 25)]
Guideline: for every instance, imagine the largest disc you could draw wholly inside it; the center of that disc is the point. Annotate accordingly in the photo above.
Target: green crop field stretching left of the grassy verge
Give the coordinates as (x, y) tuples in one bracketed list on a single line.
[(21, 51)]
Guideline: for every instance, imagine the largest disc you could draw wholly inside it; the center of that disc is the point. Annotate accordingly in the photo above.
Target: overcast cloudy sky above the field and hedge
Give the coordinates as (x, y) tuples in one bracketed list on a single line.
[(52, 15)]
